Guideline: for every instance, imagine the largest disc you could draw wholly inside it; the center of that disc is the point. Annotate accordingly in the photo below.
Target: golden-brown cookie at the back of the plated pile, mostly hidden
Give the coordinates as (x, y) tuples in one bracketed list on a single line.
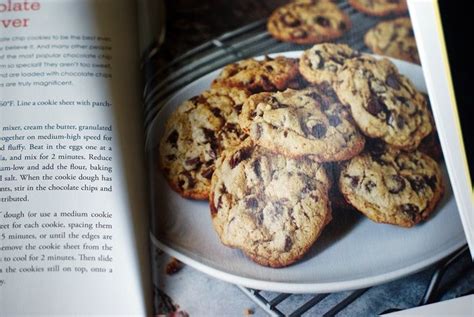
[(269, 74)]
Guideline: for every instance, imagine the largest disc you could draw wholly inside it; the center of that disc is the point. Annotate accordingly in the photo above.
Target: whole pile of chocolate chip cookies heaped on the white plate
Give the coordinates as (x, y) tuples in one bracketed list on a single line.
[(259, 142)]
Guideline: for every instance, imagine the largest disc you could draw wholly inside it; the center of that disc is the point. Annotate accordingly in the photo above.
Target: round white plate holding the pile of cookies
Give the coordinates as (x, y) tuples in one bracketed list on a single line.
[(352, 252)]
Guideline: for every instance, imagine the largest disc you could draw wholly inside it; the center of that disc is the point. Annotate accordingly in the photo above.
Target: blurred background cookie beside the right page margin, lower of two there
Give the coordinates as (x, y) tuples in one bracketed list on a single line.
[(393, 38)]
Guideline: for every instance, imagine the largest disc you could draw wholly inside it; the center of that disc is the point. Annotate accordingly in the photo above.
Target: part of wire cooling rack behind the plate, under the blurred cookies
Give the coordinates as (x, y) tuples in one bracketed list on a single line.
[(248, 41)]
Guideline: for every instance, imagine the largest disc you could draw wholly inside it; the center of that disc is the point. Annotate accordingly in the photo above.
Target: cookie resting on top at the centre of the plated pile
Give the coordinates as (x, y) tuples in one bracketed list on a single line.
[(295, 123)]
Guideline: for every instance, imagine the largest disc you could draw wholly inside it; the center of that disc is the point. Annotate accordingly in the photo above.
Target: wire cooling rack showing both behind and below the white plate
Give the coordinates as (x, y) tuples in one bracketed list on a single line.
[(254, 40)]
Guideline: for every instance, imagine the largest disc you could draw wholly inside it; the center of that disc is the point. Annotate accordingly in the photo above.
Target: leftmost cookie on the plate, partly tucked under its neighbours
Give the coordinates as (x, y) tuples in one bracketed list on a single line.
[(195, 134)]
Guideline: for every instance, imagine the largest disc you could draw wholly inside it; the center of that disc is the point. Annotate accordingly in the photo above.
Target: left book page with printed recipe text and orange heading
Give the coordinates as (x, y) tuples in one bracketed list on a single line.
[(72, 189)]
